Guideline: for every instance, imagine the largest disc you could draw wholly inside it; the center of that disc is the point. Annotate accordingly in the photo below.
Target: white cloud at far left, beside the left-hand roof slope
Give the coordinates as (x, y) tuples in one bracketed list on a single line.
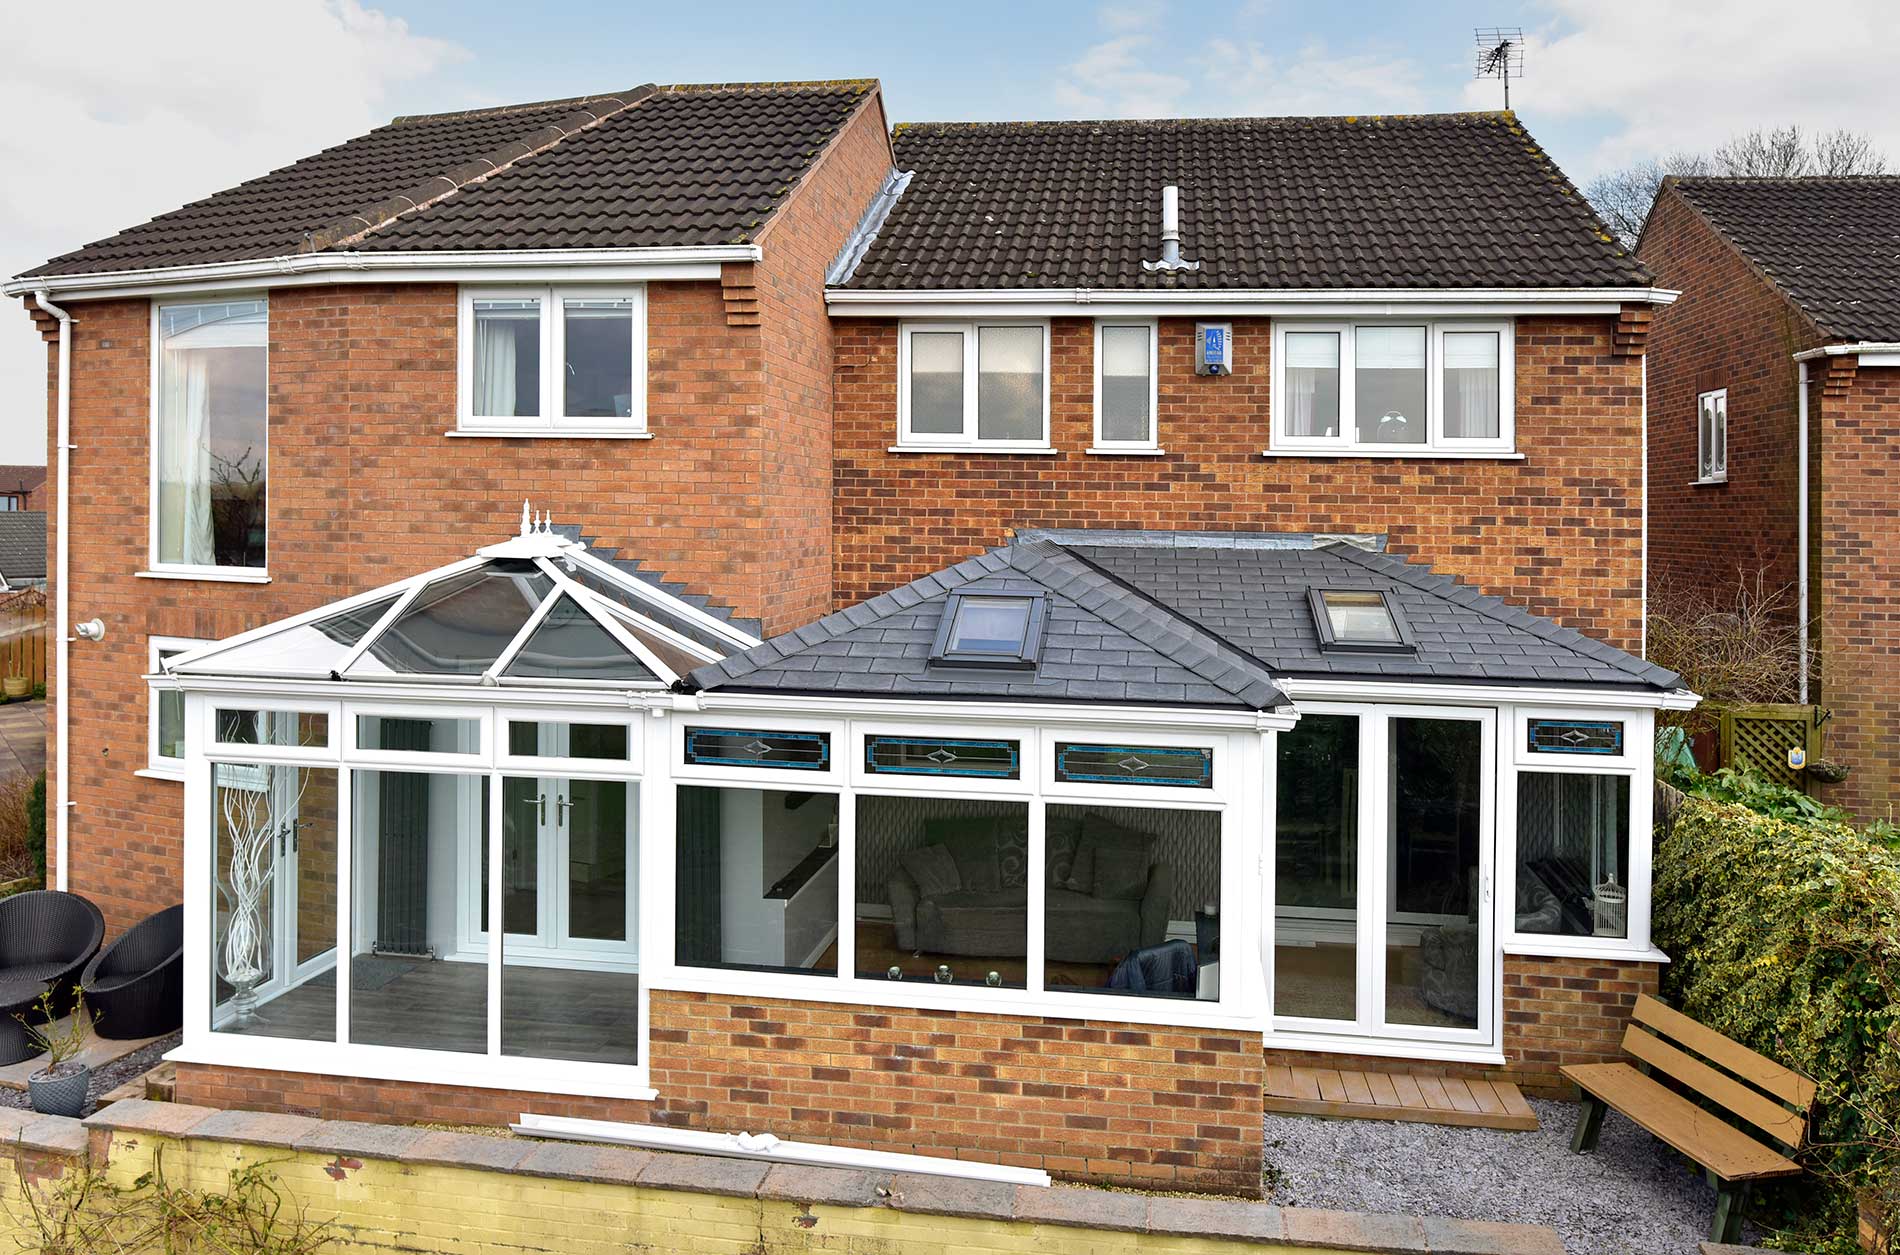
[(117, 113)]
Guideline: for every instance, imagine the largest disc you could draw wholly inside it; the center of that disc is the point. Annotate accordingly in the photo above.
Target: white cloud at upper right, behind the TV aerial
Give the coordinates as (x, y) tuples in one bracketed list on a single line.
[(1692, 73)]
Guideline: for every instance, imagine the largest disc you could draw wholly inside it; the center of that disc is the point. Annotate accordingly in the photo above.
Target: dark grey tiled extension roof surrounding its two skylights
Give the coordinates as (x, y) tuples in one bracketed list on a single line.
[(1173, 618)]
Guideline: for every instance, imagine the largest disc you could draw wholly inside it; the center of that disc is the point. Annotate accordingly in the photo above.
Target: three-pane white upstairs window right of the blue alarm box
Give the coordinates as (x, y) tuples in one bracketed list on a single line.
[(1403, 386)]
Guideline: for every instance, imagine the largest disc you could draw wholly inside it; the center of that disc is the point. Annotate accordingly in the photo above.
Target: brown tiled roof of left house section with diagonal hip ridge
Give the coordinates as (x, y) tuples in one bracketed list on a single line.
[(647, 168)]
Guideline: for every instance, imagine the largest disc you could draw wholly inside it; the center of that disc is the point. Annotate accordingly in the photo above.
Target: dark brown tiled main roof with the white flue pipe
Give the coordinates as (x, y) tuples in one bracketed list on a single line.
[(1418, 202)]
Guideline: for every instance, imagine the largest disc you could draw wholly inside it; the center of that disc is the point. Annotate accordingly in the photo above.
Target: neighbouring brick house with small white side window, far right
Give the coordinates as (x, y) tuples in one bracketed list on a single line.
[(1774, 422)]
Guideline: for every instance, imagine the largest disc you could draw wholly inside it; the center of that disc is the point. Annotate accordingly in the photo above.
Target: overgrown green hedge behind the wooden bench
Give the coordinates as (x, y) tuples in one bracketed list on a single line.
[(1787, 937)]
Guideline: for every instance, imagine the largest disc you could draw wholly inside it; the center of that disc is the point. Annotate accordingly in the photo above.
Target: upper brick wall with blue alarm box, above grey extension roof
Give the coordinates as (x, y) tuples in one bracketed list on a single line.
[(1559, 533)]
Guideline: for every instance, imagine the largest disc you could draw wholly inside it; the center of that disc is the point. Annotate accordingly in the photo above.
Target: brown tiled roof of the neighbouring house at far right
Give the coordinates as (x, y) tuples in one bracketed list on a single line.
[(1831, 244)]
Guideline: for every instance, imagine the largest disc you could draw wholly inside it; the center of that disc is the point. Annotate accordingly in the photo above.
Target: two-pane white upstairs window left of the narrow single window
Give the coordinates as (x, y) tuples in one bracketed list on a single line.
[(974, 384)]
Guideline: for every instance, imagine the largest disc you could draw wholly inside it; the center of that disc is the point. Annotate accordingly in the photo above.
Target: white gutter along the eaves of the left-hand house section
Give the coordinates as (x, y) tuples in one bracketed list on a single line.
[(383, 267)]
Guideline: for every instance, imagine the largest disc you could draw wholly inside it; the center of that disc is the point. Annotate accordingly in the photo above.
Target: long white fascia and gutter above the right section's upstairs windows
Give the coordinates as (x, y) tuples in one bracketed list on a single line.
[(1304, 303)]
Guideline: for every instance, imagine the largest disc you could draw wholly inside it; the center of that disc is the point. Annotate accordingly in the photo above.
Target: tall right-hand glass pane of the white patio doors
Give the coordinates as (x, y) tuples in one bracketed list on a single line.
[(1432, 922)]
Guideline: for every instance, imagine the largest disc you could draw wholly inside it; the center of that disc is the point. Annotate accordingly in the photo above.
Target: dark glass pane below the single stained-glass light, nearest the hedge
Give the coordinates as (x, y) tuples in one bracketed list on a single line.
[(1574, 855)]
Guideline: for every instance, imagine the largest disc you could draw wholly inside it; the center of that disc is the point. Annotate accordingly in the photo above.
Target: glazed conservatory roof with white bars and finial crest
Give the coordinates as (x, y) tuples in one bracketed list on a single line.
[(535, 610)]
